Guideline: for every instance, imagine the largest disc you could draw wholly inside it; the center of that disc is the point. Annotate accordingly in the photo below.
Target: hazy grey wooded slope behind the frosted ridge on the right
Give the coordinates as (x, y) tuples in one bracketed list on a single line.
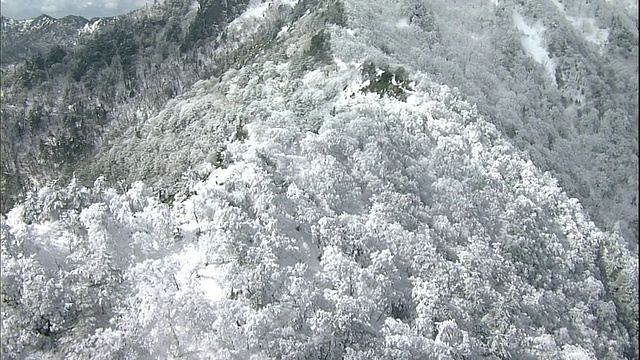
[(579, 124)]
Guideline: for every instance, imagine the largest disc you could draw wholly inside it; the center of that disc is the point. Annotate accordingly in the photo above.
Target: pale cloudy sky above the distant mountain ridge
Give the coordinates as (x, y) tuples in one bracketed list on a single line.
[(22, 9)]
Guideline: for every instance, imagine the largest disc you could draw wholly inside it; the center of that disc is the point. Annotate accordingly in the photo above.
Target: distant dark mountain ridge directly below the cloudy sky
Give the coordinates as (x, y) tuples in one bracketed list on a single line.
[(22, 39)]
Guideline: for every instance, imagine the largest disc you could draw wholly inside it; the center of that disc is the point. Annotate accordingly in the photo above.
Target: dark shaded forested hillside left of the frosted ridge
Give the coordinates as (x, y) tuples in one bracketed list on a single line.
[(60, 106)]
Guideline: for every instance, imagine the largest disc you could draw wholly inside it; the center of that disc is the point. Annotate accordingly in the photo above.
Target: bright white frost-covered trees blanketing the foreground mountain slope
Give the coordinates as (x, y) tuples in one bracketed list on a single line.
[(395, 230)]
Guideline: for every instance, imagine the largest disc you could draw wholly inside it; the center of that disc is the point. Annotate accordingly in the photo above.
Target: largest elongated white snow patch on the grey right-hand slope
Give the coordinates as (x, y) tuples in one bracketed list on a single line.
[(534, 45)]
